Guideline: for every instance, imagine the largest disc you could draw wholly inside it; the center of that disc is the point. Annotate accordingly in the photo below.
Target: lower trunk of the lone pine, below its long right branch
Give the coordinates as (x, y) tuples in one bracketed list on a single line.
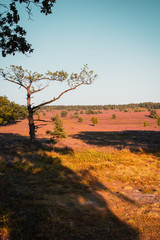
[(31, 125)]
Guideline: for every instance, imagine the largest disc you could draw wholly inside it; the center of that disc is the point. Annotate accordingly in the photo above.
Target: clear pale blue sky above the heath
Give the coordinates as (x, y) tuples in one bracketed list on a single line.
[(118, 39)]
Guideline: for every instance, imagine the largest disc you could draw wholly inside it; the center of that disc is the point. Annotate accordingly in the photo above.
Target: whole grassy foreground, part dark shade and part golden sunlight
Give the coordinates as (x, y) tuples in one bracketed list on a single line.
[(87, 194)]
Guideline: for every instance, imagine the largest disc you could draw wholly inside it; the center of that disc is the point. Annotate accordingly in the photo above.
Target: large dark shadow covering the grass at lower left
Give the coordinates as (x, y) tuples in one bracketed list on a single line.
[(42, 199)]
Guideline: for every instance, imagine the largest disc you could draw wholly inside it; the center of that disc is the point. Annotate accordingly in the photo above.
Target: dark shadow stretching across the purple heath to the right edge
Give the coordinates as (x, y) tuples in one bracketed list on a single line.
[(148, 141)]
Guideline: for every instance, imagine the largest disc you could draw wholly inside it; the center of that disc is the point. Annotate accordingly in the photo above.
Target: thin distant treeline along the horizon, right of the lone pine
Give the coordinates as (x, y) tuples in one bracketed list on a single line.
[(124, 107)]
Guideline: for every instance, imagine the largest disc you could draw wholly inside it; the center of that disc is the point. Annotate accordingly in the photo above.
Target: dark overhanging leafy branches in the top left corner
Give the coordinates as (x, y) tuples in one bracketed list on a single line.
[(12, 35)]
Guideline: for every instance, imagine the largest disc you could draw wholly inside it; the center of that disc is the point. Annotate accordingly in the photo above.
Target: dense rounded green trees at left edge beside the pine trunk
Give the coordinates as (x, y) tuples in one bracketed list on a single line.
[(10, 112)]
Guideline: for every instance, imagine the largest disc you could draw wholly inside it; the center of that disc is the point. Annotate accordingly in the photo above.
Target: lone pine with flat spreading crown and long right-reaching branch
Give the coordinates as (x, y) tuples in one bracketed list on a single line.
[(35, 82)]
